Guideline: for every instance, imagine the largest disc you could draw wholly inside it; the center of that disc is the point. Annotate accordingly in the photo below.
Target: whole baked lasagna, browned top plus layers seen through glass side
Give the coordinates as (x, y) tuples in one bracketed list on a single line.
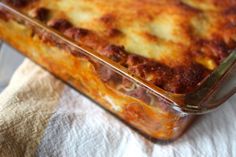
[(172, 44)]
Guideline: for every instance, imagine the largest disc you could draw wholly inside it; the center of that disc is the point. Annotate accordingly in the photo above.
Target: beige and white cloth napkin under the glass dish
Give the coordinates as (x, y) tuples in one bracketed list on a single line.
[(41, 116)]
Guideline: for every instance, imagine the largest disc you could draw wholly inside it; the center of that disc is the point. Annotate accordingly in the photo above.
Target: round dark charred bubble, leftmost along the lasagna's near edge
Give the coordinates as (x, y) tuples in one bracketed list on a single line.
[(40, 13)]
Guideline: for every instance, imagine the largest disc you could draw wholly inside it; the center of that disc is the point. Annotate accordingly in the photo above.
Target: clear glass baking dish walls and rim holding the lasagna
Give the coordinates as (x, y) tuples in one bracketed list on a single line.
[(157, 114)]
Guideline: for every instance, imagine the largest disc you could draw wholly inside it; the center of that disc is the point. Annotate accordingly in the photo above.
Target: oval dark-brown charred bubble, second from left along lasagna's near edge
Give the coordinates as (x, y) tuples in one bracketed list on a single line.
[(59, 24)]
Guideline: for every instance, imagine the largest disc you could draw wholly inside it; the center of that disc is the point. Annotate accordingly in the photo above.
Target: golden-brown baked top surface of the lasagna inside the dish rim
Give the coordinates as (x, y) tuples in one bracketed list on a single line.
[(172, 43)]
